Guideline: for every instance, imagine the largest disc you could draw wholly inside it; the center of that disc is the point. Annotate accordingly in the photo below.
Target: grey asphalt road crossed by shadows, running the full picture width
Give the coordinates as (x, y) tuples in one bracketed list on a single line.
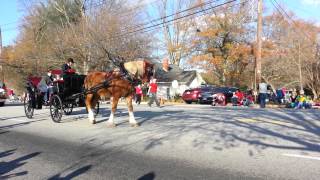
[(173, 142)]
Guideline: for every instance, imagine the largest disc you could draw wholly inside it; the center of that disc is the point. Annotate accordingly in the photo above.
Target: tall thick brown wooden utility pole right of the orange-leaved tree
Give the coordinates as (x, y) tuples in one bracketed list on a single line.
[(259, 43)]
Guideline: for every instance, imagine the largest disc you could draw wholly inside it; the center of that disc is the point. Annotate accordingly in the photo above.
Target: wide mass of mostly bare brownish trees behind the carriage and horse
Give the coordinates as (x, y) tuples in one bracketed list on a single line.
[(53, 30)]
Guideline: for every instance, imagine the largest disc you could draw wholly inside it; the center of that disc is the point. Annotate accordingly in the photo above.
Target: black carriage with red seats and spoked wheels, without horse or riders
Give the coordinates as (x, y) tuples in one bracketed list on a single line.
[(65, 94)]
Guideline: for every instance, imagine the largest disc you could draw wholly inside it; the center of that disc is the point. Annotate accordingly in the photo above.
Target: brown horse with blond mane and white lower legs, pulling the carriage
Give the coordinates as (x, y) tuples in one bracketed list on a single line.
[(120, 84)]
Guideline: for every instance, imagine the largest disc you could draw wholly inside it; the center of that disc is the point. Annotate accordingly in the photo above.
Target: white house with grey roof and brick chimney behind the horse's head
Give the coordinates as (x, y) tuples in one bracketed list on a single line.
[(172, 80)]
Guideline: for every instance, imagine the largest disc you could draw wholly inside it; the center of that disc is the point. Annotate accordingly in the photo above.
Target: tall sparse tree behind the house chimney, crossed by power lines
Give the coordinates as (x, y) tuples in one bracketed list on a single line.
[(176, 36)]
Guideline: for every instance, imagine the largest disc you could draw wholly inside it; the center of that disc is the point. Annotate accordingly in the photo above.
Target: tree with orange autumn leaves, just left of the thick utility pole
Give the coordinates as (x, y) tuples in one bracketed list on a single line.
[(224, 48)]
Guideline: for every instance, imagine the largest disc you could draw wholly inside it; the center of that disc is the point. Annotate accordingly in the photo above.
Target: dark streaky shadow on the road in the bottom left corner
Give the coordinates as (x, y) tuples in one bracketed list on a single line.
[(6, 167)]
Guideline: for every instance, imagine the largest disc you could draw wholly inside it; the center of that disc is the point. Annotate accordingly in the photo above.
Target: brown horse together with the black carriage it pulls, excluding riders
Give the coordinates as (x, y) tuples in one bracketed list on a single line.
[(80, 90)]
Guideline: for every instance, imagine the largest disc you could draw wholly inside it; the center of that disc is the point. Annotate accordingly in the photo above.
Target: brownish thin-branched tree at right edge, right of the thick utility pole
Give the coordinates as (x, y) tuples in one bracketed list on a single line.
[(292, 58)]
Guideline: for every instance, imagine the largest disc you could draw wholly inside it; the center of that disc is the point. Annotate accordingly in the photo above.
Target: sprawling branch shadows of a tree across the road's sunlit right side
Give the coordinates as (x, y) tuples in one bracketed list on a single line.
[(220, 129)]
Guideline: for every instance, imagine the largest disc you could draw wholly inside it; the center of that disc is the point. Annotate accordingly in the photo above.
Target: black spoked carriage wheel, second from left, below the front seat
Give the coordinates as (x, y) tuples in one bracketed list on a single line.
[(56, 108)]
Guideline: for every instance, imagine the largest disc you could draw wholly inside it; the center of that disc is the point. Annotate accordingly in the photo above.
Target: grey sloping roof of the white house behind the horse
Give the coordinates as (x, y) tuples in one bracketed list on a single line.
[(174, 73)]
